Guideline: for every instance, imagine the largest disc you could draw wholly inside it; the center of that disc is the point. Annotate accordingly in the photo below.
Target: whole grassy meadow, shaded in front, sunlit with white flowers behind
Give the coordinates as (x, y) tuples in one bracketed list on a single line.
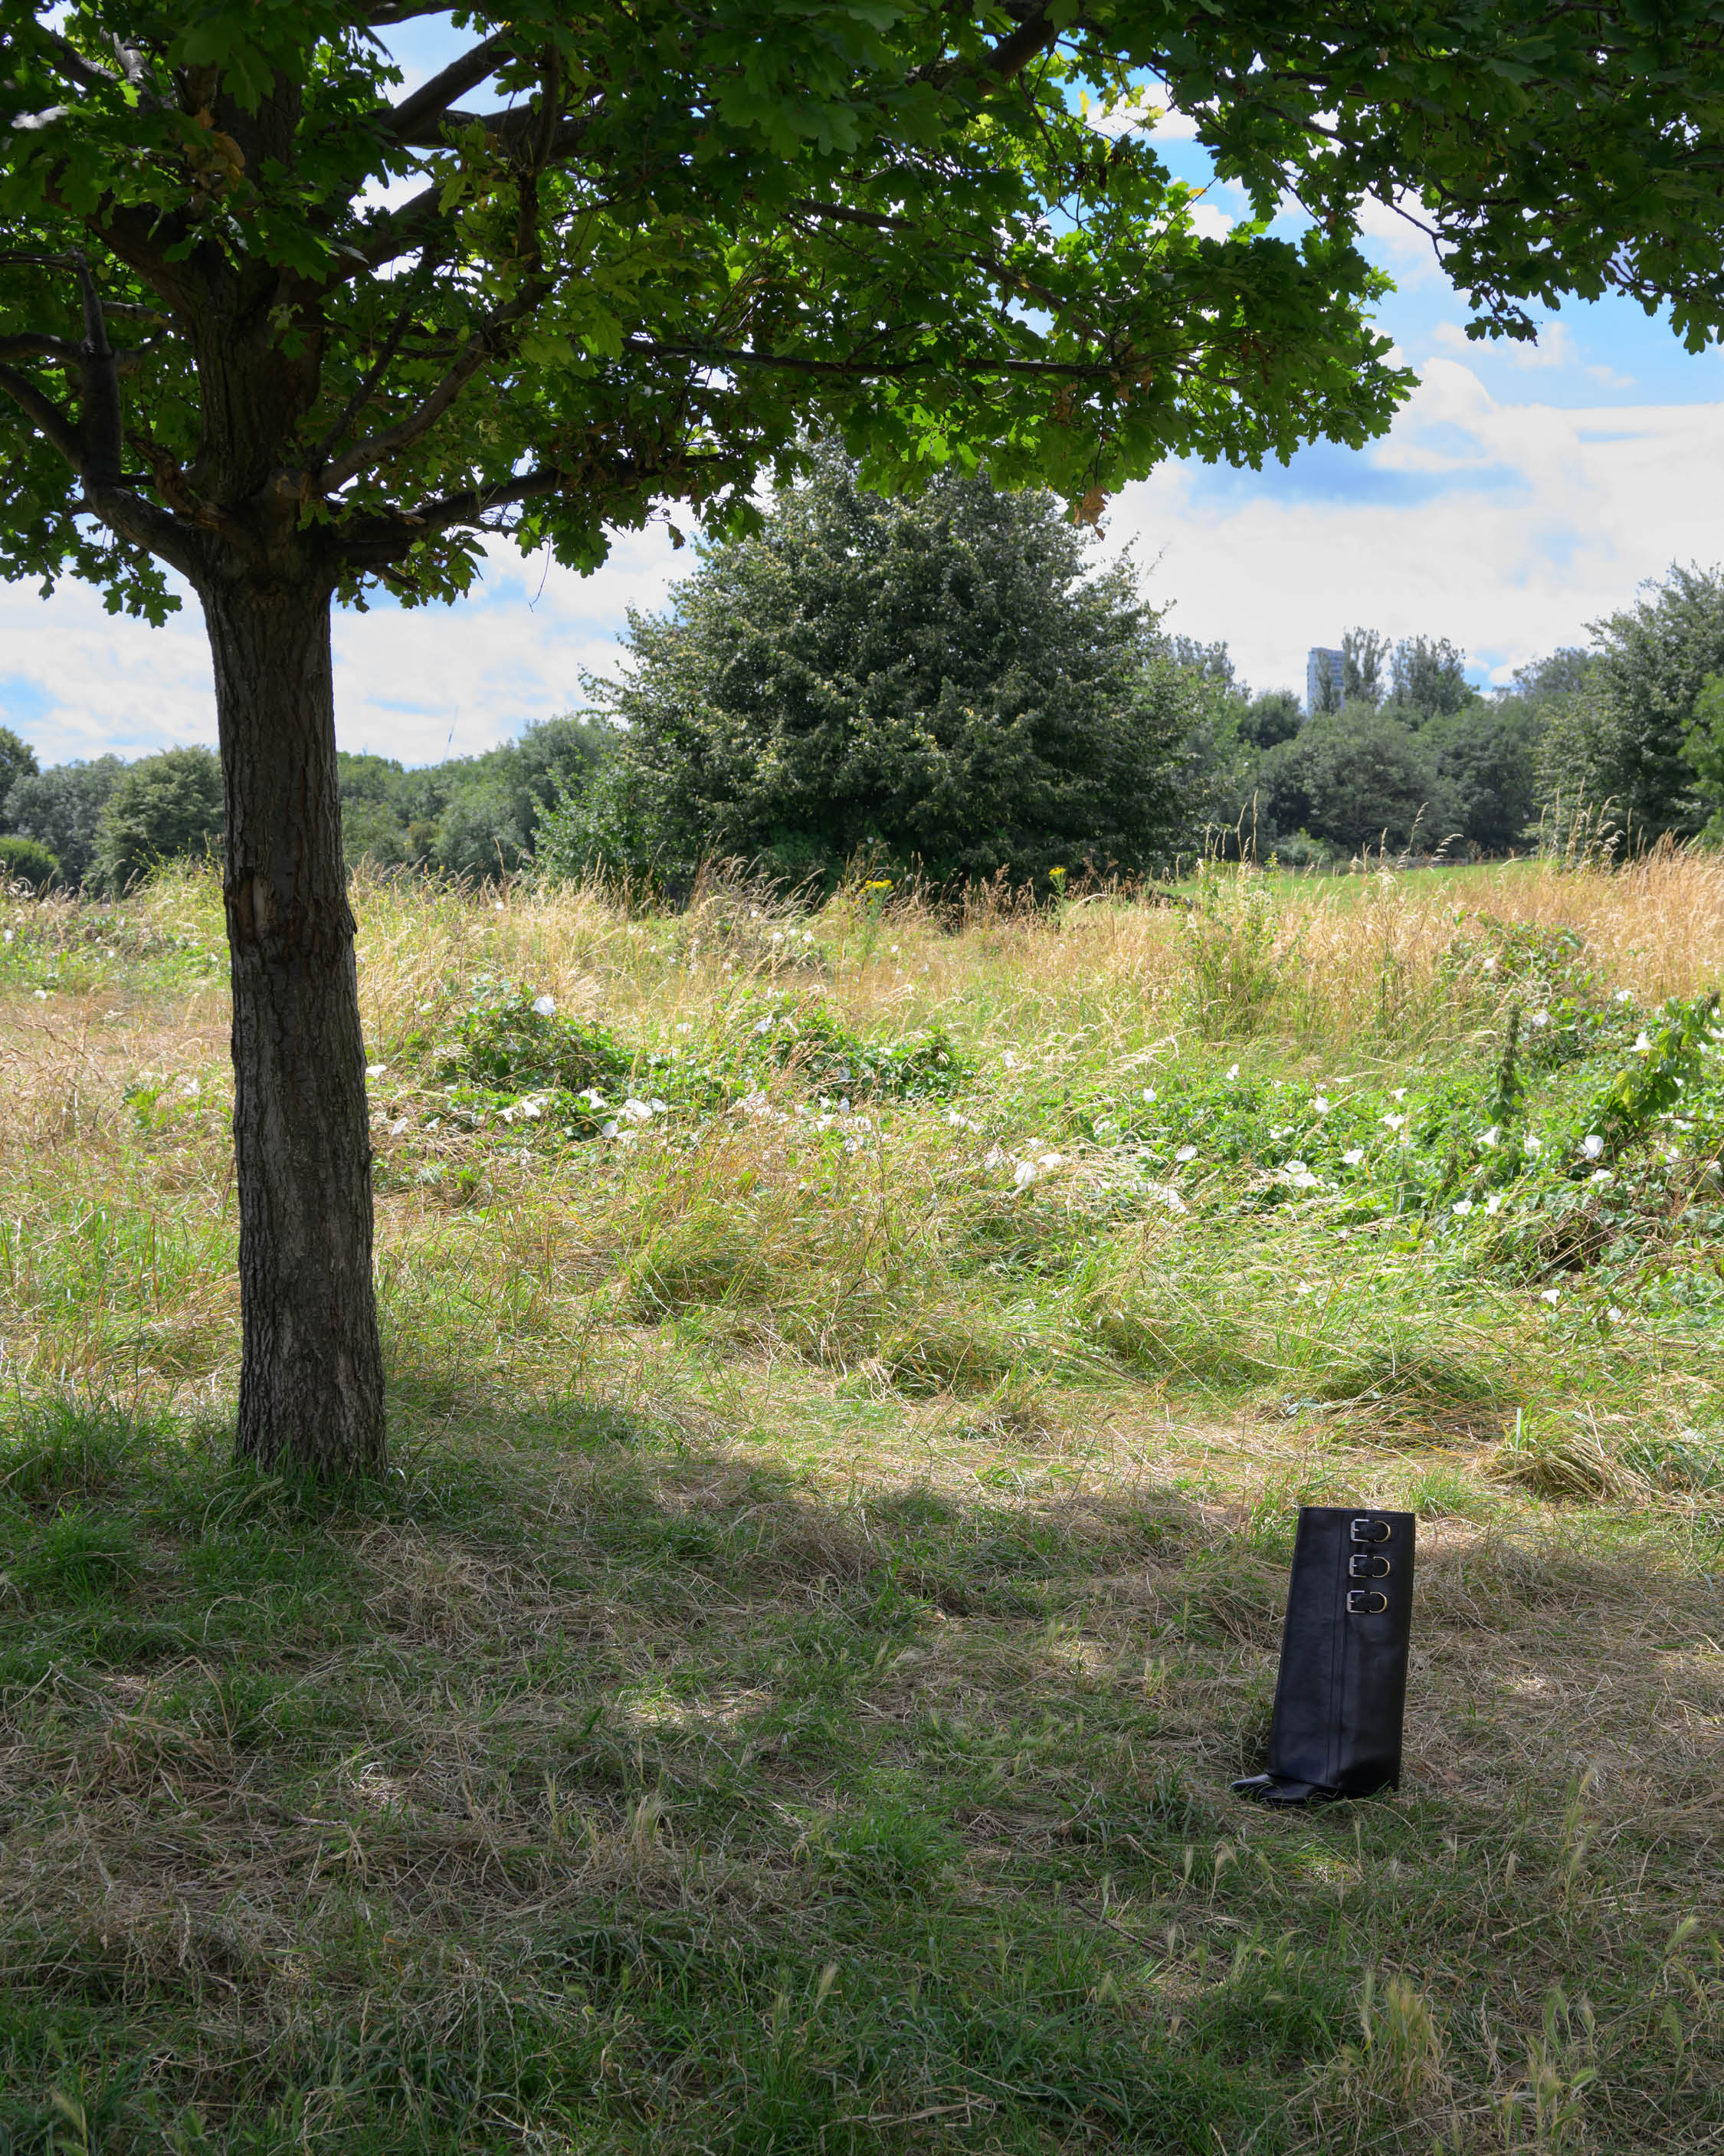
[(852, 1385)]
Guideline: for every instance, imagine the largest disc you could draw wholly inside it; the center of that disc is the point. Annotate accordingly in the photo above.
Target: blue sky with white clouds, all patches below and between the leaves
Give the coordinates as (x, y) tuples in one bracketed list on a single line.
[(1520, 495)]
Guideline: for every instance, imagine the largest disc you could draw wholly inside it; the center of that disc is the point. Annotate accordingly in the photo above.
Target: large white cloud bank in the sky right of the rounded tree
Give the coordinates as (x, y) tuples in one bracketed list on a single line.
[(1512, 529)]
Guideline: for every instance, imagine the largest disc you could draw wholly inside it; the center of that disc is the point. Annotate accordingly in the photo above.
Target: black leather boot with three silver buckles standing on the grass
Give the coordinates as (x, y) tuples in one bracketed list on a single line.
[(1344, 1659)]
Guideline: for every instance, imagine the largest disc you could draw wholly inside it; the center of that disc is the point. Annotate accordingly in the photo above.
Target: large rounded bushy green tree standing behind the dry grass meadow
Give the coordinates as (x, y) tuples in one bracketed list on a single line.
[(934, 682)]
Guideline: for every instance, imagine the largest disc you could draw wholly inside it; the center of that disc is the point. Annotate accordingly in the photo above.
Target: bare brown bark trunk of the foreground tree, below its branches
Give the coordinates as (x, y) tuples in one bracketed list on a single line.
[(311, 1372)]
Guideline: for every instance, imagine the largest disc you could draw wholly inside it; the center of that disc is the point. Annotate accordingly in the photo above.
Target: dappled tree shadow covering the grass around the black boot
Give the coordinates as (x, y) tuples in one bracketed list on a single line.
[(615, 1791)]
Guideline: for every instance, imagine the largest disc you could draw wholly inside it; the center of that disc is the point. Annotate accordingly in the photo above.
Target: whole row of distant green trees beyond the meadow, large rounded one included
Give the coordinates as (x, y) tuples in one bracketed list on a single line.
[(947, 687)]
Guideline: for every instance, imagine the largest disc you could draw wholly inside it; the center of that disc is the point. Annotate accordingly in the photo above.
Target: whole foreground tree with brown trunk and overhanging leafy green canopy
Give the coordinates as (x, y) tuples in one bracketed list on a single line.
[(669, 247)]
